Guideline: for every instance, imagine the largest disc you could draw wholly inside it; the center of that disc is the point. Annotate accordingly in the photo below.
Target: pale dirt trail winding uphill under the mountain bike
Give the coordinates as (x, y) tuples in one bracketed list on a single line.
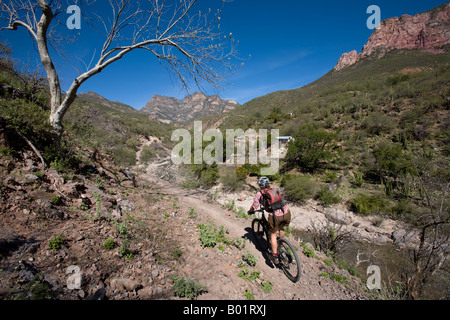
[(218, 270)]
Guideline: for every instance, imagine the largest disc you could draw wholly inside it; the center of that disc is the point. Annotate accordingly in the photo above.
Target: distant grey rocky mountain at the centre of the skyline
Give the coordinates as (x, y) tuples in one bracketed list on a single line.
[(169, 109)]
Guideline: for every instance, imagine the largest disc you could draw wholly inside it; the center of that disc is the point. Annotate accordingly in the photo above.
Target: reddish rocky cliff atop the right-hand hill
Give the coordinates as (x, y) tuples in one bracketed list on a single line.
[(428, 30)]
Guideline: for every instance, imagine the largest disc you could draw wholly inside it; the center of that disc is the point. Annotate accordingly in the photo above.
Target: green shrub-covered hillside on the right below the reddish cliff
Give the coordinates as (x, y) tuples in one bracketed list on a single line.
[(381, 123)]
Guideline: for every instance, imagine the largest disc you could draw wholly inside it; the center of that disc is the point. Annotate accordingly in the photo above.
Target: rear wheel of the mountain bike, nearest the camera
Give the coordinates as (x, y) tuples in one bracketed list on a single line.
[(289, 261)]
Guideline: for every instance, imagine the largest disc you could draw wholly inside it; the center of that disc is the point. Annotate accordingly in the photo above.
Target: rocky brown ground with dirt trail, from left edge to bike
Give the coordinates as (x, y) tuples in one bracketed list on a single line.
[(124, 235)]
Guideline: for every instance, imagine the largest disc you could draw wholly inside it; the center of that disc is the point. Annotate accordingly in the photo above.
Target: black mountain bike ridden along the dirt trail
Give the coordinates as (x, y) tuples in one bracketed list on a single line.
[(287, 255)]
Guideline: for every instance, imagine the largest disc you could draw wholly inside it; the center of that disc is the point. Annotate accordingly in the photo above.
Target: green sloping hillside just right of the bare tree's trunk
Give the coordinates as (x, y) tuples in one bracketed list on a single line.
[(112, 126)]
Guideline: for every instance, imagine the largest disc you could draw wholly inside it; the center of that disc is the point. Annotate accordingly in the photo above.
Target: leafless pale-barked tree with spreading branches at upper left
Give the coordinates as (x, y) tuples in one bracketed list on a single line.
[(188, 43)]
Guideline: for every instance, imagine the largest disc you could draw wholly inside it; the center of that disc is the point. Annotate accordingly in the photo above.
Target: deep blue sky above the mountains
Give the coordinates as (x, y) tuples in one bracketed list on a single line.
[(286, 44)]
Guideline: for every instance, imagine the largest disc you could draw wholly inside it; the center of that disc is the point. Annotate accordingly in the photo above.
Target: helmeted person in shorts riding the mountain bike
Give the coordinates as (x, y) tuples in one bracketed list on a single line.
[(282, 216)]
